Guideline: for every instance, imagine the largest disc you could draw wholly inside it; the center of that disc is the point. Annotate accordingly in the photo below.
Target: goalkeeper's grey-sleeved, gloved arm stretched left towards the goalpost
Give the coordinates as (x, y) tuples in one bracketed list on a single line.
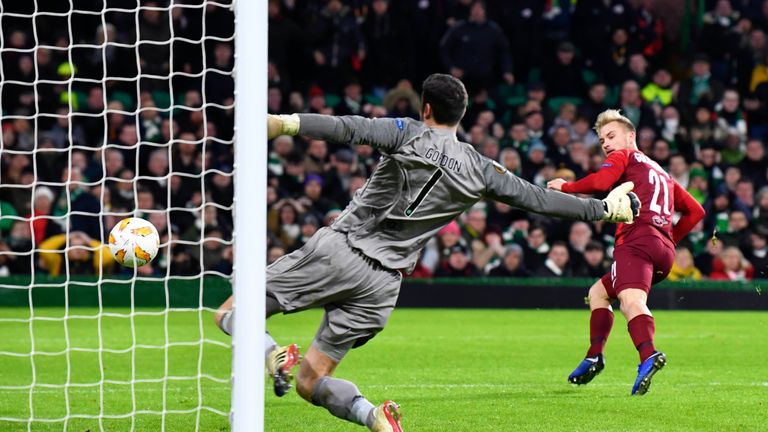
[(386, 134)]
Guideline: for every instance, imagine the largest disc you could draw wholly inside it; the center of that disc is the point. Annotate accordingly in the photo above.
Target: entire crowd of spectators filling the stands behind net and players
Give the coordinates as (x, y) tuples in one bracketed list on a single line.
[(695, 83)]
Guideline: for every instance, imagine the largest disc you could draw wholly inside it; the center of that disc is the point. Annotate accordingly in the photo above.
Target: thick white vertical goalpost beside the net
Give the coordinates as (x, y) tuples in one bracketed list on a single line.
[(250, 164)]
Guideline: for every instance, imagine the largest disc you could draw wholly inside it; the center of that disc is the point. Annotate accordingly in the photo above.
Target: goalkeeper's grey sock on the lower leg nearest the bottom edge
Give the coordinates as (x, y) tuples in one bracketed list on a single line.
[(342, 399)]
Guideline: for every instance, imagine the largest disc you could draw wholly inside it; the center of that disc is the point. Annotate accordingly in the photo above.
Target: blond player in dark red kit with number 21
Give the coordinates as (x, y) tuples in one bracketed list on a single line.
[(644, 250)]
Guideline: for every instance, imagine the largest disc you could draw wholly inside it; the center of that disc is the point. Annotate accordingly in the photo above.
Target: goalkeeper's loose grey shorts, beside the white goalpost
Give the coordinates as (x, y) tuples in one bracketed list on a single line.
[(357, 293)]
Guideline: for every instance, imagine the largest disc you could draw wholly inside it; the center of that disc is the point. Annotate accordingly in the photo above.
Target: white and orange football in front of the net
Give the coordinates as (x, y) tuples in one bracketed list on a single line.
[(134, 242)]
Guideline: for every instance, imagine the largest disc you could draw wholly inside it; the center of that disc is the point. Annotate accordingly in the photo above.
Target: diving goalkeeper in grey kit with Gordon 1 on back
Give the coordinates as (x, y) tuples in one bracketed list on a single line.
[(425, 179)]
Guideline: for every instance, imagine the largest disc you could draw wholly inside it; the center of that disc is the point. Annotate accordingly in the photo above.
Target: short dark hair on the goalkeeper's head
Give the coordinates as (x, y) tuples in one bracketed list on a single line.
[(447, 97)]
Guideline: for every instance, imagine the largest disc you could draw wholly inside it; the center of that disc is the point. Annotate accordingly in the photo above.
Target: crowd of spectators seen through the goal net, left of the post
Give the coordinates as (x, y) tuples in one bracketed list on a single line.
[(141, 126)]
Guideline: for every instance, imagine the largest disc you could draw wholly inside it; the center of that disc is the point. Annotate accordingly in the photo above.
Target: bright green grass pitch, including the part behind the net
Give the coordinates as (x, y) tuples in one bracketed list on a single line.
[(490, 370)]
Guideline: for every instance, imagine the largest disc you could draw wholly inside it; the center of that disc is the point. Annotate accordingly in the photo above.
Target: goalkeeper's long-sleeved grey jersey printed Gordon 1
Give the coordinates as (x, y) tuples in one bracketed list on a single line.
[(426, 177)]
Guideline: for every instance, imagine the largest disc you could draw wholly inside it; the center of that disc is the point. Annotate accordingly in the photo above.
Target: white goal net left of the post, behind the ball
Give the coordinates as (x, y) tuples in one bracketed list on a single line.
[(114, 109)]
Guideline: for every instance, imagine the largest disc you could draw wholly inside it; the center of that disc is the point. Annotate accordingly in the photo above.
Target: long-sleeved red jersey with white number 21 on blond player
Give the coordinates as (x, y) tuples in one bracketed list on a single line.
[(661, 196)]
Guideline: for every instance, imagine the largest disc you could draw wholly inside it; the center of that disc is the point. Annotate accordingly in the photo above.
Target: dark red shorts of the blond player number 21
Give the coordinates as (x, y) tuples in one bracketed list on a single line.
[(640, 263)]
